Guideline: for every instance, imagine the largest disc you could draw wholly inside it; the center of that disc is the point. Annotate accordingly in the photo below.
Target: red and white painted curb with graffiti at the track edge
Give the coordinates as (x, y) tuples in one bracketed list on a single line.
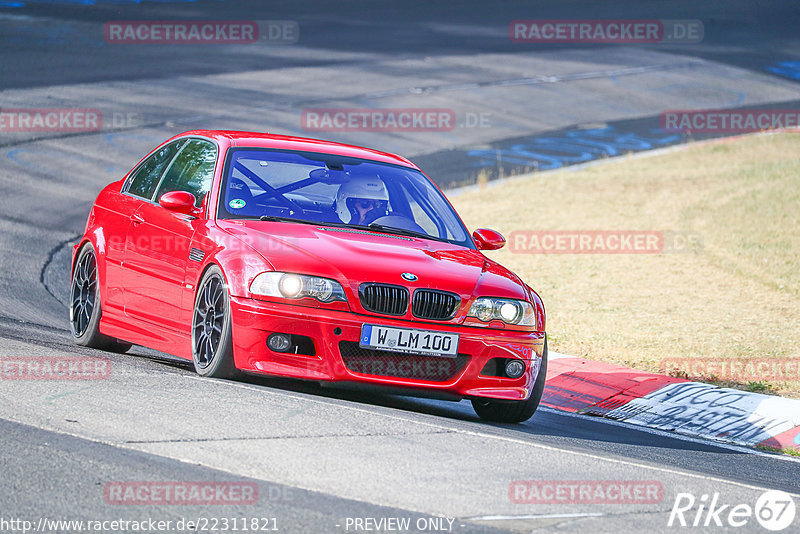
[(666, 403)]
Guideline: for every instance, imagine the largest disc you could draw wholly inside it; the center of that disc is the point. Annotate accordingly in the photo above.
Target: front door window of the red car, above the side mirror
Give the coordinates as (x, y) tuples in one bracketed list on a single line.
[(192, 170)]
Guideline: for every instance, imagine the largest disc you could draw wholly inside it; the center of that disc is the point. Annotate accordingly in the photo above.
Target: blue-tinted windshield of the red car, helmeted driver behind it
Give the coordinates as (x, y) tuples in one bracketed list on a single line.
[(335, 190)]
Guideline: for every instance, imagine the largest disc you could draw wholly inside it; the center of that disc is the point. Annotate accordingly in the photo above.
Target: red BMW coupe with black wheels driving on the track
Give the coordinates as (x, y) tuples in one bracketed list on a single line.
[(299, 258)]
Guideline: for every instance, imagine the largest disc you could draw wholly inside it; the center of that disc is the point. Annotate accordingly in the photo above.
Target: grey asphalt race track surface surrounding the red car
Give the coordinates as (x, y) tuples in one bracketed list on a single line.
[(321, 456)]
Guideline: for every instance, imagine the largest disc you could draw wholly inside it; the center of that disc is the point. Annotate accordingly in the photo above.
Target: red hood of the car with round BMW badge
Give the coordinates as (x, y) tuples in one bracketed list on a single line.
[(353, 257)]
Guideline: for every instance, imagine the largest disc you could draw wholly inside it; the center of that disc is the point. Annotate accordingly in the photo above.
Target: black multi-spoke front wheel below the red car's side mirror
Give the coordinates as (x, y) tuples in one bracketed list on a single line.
[(212, 344)]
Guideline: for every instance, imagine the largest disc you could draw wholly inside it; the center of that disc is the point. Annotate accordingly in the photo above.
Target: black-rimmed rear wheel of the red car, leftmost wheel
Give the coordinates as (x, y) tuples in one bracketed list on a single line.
[(85, 309)]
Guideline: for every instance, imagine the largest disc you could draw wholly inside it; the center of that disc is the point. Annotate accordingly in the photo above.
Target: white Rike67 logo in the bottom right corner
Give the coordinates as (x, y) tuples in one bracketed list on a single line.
[(774, 510)]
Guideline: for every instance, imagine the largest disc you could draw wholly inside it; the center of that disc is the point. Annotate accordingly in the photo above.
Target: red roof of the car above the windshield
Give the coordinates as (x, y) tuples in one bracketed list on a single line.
[(286, 142)]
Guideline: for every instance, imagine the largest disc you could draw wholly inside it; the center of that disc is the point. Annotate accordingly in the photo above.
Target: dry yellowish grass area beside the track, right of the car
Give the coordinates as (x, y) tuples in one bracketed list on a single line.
[(737, 295)]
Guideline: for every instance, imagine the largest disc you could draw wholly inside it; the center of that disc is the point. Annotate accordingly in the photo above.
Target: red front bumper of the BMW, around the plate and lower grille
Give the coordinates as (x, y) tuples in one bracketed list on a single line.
[(255, 320)]
